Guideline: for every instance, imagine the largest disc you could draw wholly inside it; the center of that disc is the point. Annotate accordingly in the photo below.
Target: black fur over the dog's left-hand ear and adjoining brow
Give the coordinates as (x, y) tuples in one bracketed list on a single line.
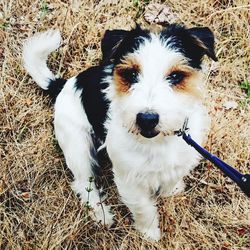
[(121, 43)]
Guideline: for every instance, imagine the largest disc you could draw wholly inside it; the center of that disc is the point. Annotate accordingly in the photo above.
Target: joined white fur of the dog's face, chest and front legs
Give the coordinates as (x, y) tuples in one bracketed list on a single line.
[(143, 166)]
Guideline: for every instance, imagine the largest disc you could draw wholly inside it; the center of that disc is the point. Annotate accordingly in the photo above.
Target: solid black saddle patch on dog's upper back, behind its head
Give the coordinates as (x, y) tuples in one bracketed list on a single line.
[(93, 100)]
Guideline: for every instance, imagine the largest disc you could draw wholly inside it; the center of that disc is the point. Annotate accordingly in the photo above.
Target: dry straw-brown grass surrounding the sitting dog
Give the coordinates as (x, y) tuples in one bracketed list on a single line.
[(38, 209)]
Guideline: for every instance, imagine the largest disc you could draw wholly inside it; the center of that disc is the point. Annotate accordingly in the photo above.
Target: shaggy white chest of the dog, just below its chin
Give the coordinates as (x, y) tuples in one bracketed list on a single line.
[(155, 162)]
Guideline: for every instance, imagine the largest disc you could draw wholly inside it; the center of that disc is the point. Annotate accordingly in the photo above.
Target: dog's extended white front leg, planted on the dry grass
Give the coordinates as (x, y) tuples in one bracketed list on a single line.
[(142, 207)]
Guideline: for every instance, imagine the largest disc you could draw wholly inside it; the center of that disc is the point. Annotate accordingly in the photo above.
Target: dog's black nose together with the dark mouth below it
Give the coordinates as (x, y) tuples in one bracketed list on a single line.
[(147, 123)]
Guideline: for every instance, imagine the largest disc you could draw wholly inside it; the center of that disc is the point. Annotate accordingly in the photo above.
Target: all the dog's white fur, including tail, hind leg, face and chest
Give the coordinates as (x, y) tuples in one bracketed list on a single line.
[(142, 167)]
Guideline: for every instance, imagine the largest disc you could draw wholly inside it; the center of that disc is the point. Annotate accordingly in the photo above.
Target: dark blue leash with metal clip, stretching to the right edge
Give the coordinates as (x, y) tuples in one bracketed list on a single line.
[(243, 181)]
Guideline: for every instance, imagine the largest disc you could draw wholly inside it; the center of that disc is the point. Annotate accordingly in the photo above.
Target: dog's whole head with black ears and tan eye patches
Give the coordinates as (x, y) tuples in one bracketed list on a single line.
[(155, 78)]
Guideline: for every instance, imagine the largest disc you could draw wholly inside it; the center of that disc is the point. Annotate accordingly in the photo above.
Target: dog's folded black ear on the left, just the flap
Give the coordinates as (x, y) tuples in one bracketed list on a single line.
[(110, 41)]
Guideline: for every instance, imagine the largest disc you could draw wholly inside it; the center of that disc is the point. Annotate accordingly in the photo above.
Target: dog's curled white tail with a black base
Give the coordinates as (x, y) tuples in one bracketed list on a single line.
[(35, 53)]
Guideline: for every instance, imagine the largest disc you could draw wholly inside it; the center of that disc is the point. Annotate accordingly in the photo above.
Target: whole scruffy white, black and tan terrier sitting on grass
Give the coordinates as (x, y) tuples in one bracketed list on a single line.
[(131, 105)]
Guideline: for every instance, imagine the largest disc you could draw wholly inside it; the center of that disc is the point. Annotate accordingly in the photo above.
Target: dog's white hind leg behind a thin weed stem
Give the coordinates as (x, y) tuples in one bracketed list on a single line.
[(73, 132)]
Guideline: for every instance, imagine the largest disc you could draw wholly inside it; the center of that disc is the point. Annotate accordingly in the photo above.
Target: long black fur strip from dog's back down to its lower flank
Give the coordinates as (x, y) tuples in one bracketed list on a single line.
[(90, 83)]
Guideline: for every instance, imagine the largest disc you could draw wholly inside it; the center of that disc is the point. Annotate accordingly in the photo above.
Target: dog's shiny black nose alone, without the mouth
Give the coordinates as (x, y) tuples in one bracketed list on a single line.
[(147, 121)]
